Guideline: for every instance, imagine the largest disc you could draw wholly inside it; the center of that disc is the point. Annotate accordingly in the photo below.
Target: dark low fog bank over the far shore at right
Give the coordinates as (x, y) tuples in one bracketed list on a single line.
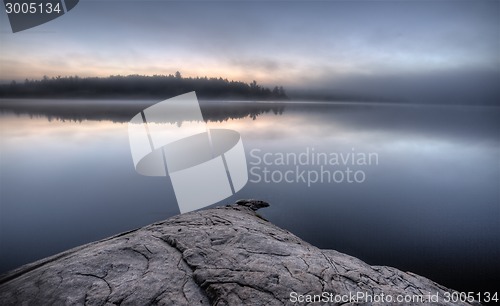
[(459, 86)]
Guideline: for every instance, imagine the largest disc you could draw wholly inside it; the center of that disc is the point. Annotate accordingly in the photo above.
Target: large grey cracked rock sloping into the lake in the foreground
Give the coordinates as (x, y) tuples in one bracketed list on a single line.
[(222, 256)]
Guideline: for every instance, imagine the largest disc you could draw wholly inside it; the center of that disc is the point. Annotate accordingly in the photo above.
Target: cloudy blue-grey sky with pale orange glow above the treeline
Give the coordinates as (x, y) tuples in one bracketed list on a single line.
[(393, 47)]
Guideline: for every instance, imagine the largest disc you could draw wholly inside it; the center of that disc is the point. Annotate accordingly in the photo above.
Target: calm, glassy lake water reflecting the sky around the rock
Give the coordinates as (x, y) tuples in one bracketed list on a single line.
[(429, 203)]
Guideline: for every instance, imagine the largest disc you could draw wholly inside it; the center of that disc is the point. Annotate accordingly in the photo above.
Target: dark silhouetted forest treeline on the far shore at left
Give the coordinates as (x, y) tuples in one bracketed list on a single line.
[(158, 86)]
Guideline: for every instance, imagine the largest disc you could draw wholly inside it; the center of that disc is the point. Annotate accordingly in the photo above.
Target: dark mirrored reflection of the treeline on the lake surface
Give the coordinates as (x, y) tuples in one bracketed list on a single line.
[(119, 111)]
